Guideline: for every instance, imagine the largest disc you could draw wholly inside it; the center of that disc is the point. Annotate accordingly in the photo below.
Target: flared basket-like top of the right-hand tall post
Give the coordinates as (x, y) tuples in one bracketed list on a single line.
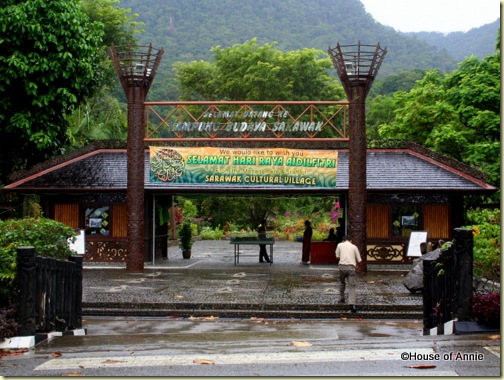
[(357, 65)]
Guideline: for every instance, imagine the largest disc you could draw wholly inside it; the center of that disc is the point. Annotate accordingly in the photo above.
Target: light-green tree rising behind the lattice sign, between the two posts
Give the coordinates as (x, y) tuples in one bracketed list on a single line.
[(252, 72)]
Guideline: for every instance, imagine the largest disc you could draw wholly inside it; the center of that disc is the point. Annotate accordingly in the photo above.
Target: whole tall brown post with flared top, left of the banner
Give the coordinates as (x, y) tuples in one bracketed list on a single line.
[(136, 70)]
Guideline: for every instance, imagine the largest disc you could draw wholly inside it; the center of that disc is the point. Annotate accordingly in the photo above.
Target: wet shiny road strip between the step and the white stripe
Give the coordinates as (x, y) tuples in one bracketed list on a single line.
[(103, 334)]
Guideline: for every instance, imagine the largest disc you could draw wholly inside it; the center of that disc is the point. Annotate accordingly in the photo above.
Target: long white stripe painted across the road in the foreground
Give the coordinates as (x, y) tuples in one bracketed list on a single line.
[(230, 359)]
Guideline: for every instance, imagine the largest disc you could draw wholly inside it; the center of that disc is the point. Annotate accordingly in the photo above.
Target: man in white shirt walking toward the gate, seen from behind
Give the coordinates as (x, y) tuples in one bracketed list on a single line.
[(349, 256)]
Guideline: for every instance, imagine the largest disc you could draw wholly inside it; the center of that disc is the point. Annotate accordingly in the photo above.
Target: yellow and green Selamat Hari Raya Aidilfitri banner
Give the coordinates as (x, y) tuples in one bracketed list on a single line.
[(244, 167)]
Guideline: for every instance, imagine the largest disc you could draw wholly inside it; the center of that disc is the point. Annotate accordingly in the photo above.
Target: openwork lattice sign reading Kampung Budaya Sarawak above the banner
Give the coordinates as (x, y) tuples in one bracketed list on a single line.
[(246, 119)]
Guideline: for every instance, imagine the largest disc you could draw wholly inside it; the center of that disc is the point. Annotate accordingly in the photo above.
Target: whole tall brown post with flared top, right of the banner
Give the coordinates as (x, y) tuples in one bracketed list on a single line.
[(357, 66)]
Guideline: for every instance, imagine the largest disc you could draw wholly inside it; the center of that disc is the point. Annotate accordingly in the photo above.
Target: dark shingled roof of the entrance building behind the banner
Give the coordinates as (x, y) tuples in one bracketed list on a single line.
[(390, 170)]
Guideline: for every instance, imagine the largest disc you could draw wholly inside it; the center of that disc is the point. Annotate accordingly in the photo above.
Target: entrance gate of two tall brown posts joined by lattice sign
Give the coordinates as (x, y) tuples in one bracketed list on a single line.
[(357, 66)]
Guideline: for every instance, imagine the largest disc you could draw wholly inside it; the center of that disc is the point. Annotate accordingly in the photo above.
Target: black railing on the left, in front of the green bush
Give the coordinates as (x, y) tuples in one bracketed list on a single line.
[(50, 293)]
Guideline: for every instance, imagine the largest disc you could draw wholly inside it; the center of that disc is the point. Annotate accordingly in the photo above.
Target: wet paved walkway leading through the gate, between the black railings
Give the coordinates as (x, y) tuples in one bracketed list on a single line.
[(210, 283)]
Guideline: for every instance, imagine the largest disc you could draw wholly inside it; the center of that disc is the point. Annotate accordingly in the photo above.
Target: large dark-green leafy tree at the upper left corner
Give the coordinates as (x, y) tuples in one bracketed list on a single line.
[(49, 63)]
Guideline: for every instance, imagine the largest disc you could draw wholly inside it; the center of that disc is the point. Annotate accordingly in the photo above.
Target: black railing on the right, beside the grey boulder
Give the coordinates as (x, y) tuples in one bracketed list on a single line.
[(448, 283)]
